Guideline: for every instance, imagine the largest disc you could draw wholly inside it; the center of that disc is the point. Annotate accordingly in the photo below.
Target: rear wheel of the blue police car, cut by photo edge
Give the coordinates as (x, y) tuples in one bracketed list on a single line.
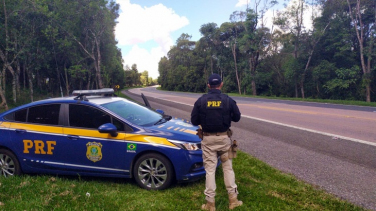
[(9, 165)]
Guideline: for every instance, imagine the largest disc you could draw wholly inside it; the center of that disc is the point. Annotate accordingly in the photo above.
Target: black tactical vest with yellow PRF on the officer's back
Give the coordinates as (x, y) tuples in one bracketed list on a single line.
[(215, 113)]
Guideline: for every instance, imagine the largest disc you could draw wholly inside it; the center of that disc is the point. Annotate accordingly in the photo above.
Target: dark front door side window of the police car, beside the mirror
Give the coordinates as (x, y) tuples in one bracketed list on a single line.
[(87, 117)]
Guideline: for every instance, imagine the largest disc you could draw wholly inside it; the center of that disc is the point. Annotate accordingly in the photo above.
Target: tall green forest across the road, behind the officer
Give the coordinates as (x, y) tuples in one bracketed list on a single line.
[(333, 59)]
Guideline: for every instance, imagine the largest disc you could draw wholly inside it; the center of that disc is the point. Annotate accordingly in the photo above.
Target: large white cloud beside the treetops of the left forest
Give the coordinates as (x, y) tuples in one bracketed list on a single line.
[(137, 25)]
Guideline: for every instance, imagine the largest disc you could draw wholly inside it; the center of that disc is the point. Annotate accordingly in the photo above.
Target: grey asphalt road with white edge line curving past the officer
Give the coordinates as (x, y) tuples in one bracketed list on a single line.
[(330, 146)]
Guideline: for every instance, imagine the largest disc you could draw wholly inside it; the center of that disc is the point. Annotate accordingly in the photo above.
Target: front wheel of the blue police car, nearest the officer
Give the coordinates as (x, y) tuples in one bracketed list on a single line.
[(153, 172)]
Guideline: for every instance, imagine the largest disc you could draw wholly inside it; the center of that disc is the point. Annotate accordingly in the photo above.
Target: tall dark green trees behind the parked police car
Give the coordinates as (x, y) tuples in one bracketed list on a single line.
[(52, 47)]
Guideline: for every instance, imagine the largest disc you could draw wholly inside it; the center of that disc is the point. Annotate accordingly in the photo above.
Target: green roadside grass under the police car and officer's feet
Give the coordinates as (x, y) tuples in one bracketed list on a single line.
[(261, 188)]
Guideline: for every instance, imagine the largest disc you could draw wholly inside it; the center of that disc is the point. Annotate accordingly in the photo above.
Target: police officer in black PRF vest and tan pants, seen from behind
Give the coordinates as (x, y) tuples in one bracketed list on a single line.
[(214, 112)]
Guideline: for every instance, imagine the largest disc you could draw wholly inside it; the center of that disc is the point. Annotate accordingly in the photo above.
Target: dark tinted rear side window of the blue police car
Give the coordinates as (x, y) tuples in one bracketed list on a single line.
[(44, 114)]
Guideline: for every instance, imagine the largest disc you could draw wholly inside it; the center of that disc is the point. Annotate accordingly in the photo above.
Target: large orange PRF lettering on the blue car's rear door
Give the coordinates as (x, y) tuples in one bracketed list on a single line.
[(40, 147)]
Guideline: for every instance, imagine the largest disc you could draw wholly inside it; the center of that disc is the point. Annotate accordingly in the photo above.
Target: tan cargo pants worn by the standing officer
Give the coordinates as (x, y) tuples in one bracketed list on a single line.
[(212, 146)]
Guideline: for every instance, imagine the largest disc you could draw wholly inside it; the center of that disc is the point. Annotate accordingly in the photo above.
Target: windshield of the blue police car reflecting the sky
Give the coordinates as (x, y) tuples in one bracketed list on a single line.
[(134, 113)]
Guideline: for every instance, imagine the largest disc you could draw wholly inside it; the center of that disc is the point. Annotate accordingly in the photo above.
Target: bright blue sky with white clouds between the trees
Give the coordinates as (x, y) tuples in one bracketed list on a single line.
[(146, 29)]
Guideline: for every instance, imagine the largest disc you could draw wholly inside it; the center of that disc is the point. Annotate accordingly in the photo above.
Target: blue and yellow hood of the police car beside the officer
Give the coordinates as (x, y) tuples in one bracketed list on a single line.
[(175, 129)]
